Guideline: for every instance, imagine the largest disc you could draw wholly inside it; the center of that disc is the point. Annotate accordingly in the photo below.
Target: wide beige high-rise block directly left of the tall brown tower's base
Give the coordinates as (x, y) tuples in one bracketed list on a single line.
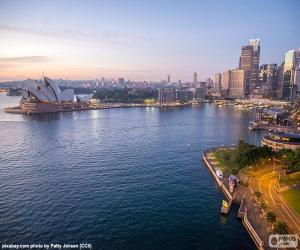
[(237, 83)]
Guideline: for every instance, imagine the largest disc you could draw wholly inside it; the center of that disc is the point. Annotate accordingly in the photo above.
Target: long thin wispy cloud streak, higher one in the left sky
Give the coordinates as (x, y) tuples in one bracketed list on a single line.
[(107, 36)]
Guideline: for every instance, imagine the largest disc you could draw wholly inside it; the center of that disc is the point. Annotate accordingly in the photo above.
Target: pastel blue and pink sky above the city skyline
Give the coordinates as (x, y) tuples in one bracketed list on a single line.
[(140, 40)]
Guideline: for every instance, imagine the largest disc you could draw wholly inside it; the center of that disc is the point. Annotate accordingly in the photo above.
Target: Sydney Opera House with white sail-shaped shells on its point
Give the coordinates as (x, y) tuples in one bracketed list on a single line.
[(46, 96)]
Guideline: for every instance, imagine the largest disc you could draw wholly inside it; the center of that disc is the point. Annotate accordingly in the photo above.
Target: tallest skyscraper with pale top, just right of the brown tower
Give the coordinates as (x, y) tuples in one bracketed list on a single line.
[(255, 43)]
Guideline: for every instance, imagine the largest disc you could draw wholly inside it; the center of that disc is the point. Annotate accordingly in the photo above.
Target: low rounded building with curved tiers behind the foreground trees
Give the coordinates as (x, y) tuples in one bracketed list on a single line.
[(281, 140)]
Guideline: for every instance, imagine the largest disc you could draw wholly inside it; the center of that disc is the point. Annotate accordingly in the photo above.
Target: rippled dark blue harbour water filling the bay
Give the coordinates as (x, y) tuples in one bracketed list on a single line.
[(118, 179)]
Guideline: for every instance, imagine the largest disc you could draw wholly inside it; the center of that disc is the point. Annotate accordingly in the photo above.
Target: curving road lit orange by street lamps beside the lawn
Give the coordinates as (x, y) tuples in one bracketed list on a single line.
[(266, 181)]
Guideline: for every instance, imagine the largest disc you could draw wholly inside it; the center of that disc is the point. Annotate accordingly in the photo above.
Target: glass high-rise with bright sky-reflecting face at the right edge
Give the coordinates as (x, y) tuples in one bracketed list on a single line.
[(290, 75)]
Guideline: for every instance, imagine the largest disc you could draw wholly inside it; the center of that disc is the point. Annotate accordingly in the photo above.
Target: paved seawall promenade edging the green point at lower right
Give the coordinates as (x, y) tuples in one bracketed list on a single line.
[(242, 211)]
